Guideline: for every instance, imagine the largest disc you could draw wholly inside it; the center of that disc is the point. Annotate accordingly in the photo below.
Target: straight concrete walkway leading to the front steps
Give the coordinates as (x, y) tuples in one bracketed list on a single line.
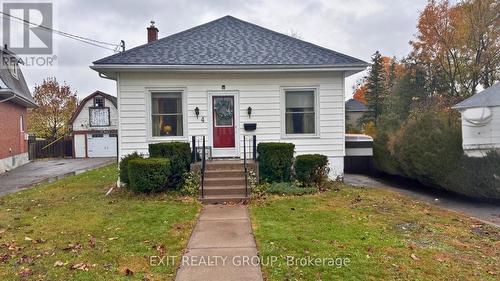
[(221, 242)]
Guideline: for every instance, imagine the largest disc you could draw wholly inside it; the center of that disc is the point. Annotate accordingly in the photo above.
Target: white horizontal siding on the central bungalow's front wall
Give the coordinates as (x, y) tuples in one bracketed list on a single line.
[(260, 91)]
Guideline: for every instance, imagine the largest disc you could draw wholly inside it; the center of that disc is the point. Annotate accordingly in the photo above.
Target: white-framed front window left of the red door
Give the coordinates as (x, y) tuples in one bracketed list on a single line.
[(167, 114)]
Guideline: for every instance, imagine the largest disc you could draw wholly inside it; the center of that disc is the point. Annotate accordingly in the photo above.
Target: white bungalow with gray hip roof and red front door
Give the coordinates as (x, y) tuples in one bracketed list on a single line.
[(216, 79)]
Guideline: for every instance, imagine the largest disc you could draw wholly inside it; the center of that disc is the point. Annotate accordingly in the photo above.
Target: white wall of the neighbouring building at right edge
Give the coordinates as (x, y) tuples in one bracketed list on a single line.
[(479, 140)]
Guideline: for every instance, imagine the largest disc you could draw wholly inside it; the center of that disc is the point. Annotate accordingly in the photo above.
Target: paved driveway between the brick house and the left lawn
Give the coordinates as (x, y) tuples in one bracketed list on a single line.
[(47, 170)]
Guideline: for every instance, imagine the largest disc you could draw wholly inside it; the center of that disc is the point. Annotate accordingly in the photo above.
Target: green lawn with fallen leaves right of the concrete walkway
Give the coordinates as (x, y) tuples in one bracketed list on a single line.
[(384, 235)]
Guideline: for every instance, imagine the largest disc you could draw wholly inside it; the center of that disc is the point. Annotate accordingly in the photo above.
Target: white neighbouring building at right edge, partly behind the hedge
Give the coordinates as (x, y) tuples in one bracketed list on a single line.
[(481, 122)]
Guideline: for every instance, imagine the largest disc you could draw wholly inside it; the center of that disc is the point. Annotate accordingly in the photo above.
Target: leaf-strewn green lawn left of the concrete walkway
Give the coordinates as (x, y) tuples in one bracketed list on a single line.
[(69, 230)]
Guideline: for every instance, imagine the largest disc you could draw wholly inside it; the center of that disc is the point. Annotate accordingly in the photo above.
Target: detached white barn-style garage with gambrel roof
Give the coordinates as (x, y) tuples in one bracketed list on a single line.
[(95, 127)]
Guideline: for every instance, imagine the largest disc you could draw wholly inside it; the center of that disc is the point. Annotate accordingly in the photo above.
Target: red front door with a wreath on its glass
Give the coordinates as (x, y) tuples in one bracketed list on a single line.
[(223, 120)]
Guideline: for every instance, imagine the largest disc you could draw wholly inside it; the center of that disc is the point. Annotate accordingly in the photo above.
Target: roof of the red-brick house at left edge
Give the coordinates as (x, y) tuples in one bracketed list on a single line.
[(12, 88)]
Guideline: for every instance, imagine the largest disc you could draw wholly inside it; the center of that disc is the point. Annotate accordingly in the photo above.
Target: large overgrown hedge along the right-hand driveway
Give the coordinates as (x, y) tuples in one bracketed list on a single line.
[(427, 147)]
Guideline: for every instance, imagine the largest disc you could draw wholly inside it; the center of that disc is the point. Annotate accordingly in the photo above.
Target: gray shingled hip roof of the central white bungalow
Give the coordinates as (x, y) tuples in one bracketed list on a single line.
[(230, 41)]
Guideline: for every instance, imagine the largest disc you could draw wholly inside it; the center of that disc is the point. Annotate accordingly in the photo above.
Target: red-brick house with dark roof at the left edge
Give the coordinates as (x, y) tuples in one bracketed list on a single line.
[(15, 99)]
